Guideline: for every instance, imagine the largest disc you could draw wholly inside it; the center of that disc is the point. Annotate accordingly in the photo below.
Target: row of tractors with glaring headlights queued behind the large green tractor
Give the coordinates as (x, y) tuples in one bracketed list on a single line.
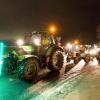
[(87, 53)]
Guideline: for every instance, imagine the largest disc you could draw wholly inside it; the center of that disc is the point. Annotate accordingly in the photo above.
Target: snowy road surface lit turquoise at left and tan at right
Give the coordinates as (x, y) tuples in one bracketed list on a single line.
[(80, 83)]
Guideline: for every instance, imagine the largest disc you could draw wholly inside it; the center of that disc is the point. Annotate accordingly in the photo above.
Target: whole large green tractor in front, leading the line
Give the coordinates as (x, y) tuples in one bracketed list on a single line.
[(38, 52)]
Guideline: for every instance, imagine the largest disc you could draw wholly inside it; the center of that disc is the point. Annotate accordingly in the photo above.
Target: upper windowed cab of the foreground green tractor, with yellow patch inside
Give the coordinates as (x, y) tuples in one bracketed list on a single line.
[(38, 38)]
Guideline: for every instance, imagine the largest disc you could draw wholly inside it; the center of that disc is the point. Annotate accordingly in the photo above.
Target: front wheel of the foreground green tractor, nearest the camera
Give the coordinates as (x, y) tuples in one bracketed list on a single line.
[(28, 70)]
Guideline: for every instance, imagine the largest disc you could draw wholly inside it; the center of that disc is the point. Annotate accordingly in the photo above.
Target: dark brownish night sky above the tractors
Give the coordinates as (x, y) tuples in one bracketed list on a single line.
[(74, 18)]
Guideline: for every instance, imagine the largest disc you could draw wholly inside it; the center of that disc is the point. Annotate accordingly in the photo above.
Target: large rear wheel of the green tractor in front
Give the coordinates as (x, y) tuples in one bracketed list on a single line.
[(56, 60)]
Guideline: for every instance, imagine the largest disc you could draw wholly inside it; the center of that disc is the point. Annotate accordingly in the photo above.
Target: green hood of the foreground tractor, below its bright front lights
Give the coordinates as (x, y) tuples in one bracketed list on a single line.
[(21, 52)]
